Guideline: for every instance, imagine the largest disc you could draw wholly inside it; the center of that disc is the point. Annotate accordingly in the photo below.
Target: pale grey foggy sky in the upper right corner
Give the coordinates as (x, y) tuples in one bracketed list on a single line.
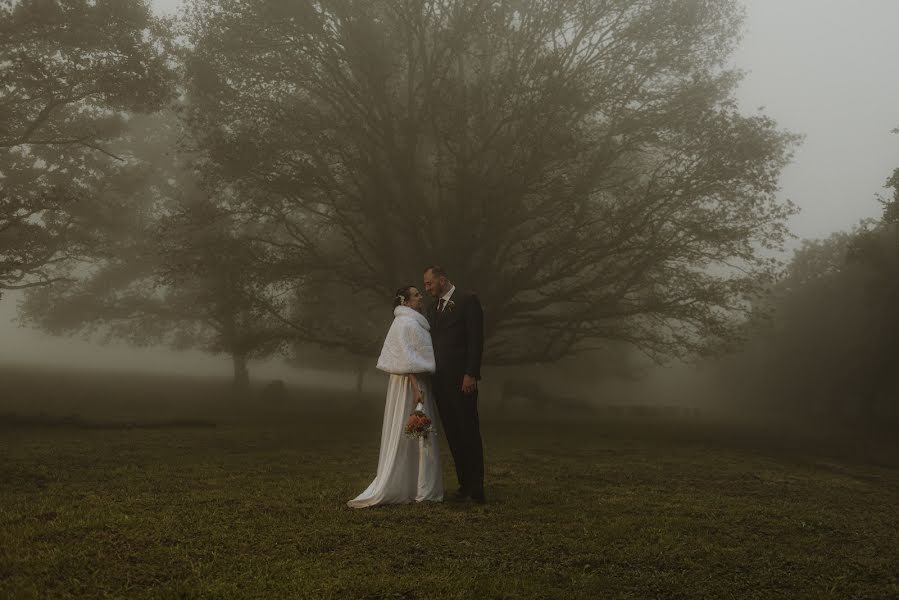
[(822, 69)]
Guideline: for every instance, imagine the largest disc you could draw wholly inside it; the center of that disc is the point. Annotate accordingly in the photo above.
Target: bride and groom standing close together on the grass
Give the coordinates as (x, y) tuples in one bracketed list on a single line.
[(431, 359)]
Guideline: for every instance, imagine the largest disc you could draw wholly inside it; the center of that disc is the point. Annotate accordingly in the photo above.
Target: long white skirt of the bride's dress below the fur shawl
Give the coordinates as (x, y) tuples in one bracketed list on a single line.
[(409, 470)]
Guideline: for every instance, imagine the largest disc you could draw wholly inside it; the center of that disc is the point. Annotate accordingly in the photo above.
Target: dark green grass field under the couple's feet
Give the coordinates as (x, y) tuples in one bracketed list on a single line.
[(139, 489)]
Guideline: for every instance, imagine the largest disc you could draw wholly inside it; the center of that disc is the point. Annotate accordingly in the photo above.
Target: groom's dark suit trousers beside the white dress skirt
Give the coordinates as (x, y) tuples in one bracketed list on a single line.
[(462, 428)]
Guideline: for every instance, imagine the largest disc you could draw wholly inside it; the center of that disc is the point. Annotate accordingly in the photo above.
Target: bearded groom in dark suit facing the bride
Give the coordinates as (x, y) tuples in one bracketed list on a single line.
[(457, 330)]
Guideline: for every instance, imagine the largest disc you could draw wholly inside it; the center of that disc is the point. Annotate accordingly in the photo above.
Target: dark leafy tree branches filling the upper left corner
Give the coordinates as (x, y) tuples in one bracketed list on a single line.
[(72, 73)]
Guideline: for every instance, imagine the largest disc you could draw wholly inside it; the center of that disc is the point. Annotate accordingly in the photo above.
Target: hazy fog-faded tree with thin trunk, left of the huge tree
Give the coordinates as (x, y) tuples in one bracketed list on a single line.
[(169, 266)]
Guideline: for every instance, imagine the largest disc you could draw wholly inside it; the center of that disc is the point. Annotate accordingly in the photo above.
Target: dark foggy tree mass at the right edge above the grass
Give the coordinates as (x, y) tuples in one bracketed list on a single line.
[(831, 344)]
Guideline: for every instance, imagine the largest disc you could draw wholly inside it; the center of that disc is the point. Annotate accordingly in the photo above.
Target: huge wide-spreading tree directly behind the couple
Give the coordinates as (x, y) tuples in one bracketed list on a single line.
[(581, 164)]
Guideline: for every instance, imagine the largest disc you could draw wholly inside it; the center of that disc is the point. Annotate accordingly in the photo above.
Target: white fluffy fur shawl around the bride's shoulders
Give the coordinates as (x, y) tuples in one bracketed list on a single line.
[(408, 347)]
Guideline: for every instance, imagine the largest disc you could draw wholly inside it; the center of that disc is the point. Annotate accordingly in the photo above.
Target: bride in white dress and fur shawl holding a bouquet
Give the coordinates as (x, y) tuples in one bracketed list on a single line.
[(408, 469)]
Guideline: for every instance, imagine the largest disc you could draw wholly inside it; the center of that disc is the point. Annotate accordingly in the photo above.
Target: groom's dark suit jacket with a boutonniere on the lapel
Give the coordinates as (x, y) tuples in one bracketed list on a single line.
[(458, 336)]
